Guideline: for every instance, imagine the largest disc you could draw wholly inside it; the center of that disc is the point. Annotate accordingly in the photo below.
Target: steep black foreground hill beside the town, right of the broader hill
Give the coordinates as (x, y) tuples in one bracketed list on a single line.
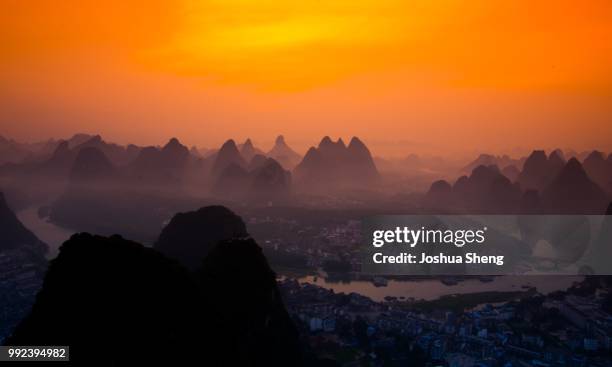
[(241, 290)]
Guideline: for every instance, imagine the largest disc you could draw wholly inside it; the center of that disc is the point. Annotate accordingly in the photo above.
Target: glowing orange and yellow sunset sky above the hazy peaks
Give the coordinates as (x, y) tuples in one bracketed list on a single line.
[(424, 76)]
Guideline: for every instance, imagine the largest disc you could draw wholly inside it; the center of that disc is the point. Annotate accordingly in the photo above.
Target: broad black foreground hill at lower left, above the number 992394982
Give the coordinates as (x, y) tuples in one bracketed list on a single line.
[(101, 291)]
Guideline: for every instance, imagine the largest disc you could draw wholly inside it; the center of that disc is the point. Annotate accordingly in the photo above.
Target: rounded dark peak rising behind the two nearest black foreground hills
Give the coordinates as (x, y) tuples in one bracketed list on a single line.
[(190, 236)]
